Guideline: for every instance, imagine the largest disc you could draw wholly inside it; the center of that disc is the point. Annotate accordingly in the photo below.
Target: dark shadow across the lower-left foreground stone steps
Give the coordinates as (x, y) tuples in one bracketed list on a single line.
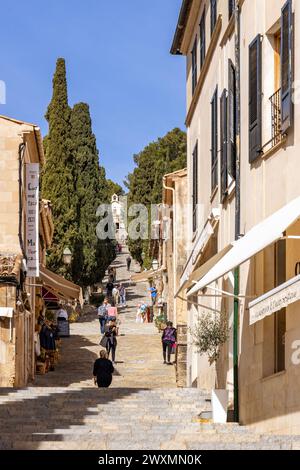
[(36, 420)]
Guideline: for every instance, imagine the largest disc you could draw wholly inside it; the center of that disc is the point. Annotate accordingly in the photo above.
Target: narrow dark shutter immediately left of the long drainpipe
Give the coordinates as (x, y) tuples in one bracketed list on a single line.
[(231, 119)]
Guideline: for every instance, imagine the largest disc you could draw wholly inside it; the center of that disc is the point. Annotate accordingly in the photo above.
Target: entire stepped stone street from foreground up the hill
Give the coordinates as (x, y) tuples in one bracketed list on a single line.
[(142, 409)]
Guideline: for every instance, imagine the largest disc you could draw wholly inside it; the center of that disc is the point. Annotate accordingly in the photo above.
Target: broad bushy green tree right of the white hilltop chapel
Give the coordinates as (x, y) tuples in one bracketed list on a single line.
[(144, 184)]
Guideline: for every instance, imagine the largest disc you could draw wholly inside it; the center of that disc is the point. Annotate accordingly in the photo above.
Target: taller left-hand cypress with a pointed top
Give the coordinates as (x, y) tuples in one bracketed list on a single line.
[(58, 182)]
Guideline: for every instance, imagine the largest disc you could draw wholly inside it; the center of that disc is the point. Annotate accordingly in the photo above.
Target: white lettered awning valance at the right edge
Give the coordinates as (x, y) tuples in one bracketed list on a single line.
[(275, 300)]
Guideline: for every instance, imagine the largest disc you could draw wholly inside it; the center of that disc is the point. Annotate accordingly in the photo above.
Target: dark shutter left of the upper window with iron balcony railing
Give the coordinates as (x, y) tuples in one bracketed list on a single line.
[(255, 99)]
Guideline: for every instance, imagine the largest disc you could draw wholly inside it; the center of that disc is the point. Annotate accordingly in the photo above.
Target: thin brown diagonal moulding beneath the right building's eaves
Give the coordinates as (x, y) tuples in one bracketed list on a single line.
[(204, 70)]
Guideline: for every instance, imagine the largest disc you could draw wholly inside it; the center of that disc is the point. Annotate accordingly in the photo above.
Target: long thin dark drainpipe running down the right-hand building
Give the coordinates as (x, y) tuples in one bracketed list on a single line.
[(237, 214)]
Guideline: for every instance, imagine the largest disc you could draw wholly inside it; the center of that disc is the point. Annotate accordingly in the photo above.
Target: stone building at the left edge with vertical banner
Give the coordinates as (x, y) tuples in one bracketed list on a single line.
[(20, 144)]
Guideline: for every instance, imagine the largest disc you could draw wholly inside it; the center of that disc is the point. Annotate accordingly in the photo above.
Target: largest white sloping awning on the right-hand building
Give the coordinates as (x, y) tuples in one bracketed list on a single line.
[(259, 237)]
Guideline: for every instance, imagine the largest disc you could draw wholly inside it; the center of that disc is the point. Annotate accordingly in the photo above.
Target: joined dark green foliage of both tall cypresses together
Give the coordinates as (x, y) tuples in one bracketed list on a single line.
[(76, 185)]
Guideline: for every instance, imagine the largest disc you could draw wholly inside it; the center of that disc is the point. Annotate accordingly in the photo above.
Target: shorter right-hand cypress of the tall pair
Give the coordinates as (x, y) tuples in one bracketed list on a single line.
[(92, 255)]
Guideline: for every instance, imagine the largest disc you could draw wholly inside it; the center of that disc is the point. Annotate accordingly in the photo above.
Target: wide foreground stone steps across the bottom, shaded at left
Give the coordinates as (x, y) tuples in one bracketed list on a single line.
[(119, 419)]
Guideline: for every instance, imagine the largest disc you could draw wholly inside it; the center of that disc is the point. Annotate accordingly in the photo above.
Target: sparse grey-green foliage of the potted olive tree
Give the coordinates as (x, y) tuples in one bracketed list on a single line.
[(210, 333)]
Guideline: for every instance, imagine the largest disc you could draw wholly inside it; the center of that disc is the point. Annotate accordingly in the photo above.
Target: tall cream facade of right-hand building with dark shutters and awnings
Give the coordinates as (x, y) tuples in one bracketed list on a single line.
[(243, 237)]
